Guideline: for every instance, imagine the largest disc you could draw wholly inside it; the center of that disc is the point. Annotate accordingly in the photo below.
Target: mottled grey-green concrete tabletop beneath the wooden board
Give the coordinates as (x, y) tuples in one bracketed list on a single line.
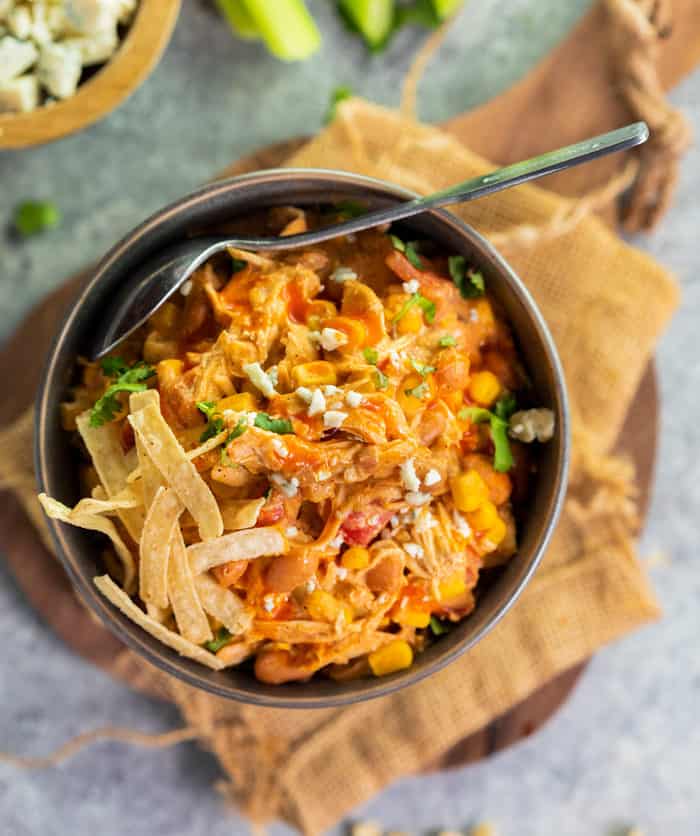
[(626, 747)]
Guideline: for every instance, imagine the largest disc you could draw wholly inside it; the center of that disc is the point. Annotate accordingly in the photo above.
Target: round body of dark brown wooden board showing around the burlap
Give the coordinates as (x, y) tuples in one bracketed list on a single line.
[(46, 586)]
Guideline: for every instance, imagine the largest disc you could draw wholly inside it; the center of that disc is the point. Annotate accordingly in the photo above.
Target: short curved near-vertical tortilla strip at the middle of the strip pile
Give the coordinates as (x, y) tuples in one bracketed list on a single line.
[(154, 549)]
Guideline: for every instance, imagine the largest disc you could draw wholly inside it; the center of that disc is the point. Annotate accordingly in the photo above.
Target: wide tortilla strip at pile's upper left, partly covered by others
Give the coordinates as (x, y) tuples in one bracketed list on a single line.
[(105, 449)]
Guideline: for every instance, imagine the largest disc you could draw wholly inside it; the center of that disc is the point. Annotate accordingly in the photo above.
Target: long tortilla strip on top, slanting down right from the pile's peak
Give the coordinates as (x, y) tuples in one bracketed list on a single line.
[(181, 475)]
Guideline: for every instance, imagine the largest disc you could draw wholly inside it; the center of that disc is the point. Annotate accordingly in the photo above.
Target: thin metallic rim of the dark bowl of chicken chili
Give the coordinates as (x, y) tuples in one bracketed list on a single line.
[(111, 617)]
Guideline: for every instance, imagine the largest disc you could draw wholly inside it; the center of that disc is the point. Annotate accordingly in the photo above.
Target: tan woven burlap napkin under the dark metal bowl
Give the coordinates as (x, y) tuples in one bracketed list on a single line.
[(606, 304)]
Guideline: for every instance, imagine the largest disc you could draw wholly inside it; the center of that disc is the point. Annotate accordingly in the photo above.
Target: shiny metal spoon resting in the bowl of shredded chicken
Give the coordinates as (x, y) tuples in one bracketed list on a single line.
[(160, 277)]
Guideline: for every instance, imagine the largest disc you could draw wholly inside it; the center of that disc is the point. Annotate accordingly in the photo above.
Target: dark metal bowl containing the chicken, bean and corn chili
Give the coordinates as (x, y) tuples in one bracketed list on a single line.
[(215, 204)]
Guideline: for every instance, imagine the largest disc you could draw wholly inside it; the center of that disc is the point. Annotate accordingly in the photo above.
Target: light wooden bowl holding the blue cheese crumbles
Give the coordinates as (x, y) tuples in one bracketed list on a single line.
[(137, 55)]
